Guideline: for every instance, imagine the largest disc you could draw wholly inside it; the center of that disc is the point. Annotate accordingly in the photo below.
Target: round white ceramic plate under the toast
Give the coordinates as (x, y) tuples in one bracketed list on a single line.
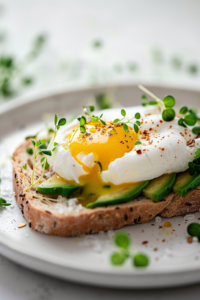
[(86, 259)]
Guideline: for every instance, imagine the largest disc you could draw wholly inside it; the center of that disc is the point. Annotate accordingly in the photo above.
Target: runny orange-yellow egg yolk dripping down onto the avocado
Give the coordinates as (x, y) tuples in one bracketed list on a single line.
[(107, 143)]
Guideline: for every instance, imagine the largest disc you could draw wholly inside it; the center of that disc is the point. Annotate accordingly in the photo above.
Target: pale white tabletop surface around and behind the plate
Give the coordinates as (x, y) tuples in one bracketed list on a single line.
[(129, 29)]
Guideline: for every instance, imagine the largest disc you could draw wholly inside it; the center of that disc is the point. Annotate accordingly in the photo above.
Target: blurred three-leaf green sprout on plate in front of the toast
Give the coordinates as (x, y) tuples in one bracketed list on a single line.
[(123, 242)]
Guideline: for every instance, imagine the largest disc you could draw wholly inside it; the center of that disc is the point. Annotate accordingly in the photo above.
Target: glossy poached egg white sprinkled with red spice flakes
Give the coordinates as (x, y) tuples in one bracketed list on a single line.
[(132, 167)]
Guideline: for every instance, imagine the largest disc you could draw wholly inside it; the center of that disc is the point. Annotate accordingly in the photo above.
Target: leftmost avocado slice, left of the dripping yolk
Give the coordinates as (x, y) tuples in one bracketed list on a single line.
[(57, 186)]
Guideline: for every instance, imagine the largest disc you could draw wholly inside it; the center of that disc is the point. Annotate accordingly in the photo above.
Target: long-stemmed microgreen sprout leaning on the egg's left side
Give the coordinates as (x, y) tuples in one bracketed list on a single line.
[(47, 152)]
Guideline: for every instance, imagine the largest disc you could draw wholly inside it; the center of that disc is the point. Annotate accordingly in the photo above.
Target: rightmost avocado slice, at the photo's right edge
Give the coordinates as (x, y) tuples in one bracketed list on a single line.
[(185, 183)]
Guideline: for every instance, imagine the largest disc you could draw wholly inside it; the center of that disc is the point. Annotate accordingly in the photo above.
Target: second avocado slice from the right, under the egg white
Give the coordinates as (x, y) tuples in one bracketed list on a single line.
[(160, 187)]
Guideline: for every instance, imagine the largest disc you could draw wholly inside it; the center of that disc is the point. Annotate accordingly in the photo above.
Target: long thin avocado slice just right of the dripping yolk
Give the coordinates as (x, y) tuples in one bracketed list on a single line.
[(122, 196)]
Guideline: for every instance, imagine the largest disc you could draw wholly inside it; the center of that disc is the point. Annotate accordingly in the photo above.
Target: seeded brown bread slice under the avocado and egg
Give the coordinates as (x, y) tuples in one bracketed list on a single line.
[(52, 218)]
